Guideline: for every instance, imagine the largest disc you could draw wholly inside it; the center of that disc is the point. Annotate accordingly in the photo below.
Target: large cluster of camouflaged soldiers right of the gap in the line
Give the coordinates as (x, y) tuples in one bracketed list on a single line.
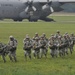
[(57, 44)]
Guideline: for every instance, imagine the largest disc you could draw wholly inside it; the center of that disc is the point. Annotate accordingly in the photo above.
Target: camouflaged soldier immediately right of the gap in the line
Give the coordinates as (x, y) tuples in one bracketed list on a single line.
[(27, 46)]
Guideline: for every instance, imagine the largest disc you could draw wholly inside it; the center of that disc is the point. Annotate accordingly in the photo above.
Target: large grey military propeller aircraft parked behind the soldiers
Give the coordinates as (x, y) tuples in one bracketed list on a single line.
[(33, 10)]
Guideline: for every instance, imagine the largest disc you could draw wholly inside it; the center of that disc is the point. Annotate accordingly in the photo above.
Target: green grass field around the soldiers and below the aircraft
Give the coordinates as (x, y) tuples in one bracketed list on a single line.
[(50, 66)]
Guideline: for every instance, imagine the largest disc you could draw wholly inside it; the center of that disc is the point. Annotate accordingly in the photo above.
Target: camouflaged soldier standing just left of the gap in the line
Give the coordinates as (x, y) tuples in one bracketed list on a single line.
[(12, 43)]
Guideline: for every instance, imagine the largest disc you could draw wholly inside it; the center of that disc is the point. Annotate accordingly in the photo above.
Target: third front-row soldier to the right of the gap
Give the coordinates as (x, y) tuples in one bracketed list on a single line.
[(43, 49)]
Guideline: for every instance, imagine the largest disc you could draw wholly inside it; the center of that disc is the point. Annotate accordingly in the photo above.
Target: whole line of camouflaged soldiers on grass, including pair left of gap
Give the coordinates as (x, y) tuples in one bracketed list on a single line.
[(39, 46)]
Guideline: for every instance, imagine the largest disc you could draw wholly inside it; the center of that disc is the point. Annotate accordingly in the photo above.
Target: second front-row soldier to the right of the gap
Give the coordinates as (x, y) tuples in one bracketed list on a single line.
[(36, 47)]
